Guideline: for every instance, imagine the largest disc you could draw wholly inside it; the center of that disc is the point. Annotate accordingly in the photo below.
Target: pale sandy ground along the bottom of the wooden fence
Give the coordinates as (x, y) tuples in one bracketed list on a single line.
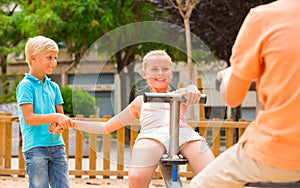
[(14, 182)]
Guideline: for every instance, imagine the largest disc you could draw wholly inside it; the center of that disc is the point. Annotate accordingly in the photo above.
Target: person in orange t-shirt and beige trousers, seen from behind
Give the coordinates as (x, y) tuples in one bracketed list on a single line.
[(266, 50)]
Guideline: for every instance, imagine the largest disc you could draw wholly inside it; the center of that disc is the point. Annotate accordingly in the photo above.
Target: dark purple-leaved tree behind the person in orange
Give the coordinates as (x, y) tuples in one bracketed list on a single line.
[(217, 23)]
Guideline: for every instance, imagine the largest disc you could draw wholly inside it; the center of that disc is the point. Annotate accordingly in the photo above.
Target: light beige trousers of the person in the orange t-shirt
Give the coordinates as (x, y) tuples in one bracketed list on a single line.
[(233, 169)]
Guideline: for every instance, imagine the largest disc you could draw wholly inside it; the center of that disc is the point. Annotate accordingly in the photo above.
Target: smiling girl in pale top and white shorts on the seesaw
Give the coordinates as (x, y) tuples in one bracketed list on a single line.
[(153, 139)]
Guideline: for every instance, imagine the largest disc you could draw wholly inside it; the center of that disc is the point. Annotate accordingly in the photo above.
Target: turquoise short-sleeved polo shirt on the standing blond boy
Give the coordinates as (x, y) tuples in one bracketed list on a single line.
[(44, 98)]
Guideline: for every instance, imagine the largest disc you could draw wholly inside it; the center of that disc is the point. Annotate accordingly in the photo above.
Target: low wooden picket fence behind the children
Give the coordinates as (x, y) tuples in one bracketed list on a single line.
[(219, 134)]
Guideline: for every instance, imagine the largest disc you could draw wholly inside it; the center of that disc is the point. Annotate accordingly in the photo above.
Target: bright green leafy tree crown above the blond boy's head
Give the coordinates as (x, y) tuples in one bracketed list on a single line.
[(74, 24)]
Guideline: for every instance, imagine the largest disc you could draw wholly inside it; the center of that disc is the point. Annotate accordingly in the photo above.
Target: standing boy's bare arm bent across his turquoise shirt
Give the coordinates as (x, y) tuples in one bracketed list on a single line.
[(37, 119)]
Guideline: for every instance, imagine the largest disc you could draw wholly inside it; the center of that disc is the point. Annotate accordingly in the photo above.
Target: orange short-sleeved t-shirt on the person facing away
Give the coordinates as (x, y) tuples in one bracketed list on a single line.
[(267, 49)]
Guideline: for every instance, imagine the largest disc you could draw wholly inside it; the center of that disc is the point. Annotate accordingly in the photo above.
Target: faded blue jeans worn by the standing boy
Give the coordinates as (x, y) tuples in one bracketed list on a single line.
[(47, 166)]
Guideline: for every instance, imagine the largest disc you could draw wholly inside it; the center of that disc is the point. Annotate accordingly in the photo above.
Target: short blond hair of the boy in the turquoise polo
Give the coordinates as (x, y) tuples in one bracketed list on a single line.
[(39, 44)]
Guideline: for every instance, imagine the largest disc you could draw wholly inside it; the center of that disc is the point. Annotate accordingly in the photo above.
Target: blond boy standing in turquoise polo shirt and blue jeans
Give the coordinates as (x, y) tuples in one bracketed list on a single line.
[(39, 104)]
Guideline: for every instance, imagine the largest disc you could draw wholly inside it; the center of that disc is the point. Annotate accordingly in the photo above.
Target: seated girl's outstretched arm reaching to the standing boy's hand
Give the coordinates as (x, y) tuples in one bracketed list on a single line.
[(130, 113)]
